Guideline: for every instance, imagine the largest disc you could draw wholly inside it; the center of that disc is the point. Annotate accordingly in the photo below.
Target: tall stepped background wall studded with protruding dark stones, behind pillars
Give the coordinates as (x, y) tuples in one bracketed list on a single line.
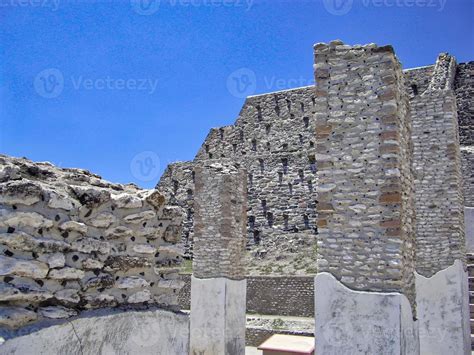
[(272, 139)]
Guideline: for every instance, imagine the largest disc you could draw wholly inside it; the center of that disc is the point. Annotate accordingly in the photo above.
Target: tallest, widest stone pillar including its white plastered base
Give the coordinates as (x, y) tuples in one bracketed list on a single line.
[(364, 291)]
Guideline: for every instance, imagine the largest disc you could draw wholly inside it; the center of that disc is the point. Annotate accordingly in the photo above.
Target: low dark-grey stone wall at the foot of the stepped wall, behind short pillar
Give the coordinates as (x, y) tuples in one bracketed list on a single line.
[(272, 295)]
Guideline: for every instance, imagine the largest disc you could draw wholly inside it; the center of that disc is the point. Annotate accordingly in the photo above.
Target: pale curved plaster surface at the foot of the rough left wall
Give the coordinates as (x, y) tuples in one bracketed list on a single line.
[(147, 333)]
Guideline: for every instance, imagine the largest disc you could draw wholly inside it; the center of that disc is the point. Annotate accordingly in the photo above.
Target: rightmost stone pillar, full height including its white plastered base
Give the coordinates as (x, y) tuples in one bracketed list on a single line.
[(441, 278)]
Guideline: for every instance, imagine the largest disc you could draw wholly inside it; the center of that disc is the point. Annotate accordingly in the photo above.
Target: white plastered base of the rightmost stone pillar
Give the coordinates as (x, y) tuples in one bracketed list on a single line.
[(442, 303)]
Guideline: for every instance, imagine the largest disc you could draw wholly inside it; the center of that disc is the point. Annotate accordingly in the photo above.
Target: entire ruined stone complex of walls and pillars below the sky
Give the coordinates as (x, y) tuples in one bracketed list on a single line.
[(368, 176)]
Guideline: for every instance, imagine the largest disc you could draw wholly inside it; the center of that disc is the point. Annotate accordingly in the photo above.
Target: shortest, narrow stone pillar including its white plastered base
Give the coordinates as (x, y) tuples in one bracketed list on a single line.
[(218, 285)]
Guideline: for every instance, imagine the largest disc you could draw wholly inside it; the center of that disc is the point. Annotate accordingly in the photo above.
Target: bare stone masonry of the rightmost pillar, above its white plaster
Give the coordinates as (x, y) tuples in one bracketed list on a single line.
[(437, 173)]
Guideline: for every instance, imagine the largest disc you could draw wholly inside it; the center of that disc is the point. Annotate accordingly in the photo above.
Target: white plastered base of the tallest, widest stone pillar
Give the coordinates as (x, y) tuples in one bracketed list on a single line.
[(371, 322)]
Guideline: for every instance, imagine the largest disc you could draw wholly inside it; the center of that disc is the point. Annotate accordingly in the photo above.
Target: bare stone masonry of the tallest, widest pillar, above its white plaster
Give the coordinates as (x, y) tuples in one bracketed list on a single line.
[(365, 186)]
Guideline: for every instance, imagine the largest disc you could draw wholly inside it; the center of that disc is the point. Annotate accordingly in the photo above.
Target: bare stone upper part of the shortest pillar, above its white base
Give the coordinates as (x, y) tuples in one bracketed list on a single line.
[(220, 222)]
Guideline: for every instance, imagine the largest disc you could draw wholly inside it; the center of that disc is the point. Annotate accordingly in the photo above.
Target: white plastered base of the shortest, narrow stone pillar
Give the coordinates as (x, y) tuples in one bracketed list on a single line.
[(217, 316)]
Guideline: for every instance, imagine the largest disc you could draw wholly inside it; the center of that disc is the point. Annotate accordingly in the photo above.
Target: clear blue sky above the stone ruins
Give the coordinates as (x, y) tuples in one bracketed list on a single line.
[(123, 88)]
